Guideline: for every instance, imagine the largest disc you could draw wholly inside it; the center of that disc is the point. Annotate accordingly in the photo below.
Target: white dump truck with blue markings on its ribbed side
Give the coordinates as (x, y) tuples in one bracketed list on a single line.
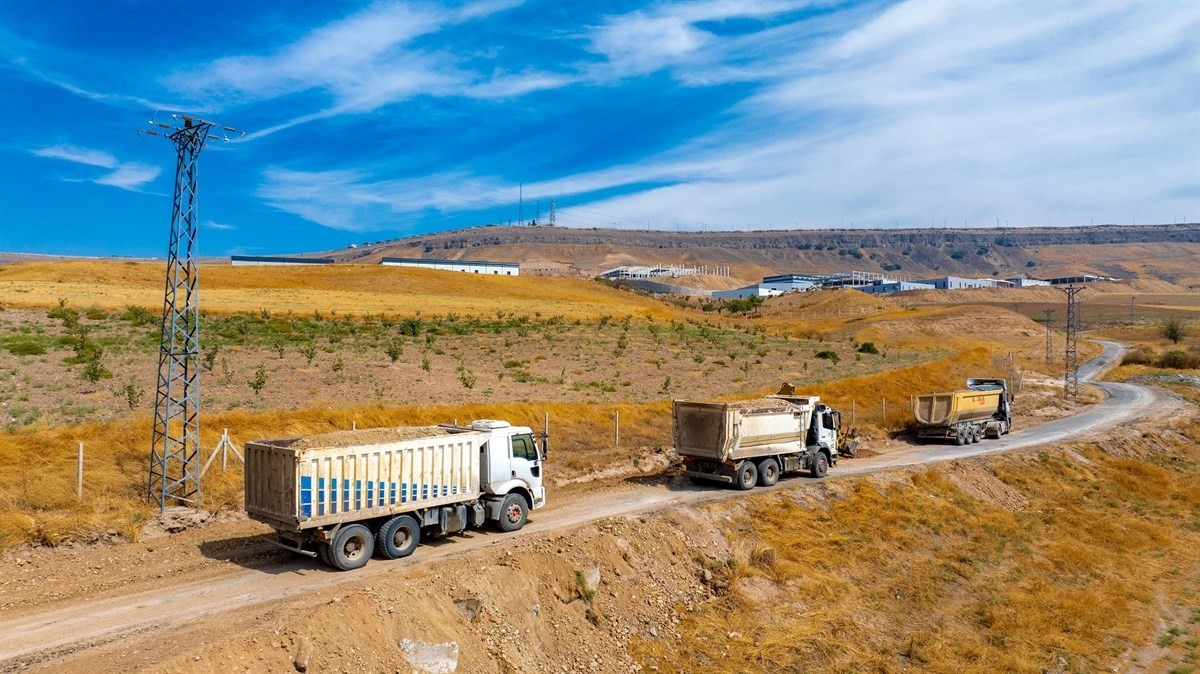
[(341, 497)]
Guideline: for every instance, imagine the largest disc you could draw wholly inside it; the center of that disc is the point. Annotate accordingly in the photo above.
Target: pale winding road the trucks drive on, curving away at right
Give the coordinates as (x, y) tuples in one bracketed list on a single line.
[(41, 635)]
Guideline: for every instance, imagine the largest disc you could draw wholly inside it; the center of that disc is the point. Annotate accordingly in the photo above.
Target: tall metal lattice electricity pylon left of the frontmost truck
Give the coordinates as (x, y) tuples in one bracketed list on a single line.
[(176, 443)]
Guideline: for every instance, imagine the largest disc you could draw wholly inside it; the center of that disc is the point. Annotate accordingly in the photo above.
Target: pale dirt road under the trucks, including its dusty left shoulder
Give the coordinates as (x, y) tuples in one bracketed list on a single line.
[(195, 587)]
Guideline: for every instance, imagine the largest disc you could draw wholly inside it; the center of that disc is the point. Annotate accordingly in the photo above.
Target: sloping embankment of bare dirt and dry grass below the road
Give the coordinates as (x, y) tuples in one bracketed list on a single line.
[(1087, 552)]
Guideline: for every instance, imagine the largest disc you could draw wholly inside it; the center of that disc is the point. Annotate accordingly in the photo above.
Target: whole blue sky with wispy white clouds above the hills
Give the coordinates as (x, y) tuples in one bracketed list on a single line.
[(370, 122)]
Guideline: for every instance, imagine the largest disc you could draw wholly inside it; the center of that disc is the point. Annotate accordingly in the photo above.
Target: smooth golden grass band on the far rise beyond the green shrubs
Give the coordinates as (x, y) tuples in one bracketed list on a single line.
[(344, 290)]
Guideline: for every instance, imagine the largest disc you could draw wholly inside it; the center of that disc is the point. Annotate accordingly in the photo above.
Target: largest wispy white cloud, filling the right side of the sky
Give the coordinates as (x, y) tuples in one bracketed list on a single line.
[(949, 112)]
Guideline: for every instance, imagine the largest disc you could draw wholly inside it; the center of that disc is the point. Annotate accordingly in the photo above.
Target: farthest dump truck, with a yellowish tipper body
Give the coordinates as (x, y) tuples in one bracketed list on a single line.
[(982, 411)]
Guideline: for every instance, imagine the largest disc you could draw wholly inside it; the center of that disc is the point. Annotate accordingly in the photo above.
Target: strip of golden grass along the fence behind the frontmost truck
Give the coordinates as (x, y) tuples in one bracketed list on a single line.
[(38, 467)]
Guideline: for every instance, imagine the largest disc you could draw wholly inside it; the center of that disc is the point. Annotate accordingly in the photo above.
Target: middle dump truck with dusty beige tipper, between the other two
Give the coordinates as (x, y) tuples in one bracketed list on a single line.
[(754, 442)]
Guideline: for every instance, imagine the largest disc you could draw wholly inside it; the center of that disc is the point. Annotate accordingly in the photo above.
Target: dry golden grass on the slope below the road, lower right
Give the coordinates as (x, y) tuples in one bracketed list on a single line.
[(916, 575)]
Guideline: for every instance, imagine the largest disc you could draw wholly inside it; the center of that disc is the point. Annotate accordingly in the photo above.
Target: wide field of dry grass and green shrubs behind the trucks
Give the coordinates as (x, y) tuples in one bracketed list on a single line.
[(920, 351)]
